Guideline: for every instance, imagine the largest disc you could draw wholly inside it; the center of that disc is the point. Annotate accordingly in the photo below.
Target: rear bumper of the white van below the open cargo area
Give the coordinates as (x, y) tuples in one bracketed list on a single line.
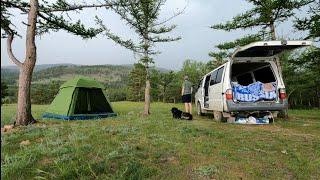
[(256, 106)]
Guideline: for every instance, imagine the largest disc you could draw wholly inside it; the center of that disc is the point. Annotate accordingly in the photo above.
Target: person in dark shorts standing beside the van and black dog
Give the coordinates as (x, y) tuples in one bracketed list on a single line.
[(186, 94)]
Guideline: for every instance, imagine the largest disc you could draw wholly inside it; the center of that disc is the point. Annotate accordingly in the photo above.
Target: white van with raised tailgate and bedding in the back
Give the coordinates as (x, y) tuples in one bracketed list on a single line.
[(220, 90)]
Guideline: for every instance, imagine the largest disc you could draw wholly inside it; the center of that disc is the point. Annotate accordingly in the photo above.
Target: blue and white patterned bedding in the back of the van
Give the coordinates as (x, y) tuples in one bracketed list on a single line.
[(253, 92)]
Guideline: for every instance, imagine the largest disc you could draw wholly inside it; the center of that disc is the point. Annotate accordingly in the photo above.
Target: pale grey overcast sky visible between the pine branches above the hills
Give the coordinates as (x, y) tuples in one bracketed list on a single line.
[(193, 26)]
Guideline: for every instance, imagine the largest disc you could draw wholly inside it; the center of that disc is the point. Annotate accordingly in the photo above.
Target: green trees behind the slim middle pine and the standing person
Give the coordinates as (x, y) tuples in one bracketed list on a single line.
[(166, 85)]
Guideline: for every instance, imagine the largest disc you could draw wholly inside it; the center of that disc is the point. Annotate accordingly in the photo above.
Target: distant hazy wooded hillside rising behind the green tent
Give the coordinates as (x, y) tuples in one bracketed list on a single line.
[(108, 74)]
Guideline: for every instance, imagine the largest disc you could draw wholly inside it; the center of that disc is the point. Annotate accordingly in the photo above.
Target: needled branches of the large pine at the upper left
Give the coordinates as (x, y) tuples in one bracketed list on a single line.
[(51, 17)]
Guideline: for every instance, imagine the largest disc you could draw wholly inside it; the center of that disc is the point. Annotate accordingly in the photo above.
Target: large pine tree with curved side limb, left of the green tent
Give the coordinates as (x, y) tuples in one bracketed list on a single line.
[(42, 18)]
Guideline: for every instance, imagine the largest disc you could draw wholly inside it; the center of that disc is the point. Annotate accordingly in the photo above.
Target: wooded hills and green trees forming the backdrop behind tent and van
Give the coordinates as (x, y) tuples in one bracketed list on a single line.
[(126, 83)]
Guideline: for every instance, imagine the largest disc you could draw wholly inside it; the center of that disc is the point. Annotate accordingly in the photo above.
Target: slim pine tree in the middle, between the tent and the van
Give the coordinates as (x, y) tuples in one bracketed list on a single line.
[(143, 17)]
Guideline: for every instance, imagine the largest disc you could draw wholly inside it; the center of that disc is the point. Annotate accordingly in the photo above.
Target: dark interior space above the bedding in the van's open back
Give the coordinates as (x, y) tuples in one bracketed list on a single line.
[(248, 73)]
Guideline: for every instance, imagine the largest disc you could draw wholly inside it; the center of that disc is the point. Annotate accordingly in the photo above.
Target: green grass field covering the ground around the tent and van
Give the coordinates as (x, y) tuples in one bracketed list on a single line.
[(157, 147)]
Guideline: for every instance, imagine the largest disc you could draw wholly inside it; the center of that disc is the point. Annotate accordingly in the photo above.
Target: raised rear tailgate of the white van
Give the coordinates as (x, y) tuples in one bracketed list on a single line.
[(268, 48)]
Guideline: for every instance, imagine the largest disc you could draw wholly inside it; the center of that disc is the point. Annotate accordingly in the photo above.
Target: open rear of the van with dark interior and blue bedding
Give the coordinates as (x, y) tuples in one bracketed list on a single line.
[(253, 82)]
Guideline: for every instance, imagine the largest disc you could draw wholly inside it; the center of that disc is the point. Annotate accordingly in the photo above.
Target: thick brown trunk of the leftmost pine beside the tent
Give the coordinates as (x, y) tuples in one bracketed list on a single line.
[(24, 116)]
